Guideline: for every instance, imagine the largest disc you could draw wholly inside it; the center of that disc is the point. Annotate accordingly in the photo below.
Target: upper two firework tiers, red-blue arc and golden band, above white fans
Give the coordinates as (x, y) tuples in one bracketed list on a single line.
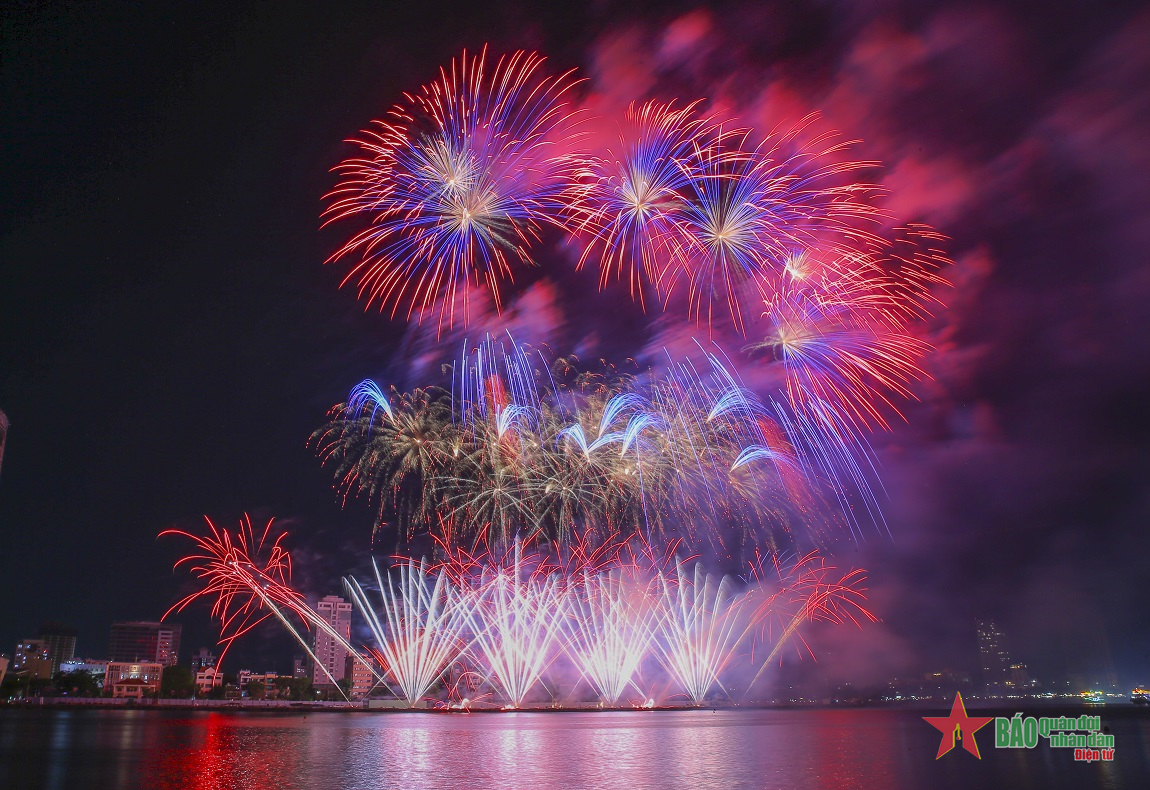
[(773, 236)]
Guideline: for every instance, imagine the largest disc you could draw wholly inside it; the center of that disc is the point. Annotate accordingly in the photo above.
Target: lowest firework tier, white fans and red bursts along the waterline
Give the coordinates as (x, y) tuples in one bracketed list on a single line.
[(504, 619)]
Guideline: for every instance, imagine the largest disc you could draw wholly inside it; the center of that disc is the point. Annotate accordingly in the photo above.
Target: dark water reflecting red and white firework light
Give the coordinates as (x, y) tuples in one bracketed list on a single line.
[(840, 749)]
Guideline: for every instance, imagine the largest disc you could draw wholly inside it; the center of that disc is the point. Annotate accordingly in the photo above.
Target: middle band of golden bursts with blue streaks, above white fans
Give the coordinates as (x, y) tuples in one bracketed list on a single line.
[(536, 452)]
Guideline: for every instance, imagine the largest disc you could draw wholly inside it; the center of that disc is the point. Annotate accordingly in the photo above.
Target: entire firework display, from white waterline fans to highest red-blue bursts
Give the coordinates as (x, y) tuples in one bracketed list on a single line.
[(566, 504)]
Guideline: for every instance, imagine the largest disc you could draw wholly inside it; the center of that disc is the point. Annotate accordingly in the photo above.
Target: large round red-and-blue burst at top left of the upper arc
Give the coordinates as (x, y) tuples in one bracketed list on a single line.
[(457, 183)]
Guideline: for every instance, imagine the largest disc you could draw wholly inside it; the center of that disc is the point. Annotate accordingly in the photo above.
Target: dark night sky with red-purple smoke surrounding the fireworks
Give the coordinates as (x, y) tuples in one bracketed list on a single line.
[(170, 336)]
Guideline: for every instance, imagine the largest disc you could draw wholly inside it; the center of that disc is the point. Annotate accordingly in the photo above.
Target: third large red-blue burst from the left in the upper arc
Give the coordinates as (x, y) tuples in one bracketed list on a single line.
[(748, 211)]
